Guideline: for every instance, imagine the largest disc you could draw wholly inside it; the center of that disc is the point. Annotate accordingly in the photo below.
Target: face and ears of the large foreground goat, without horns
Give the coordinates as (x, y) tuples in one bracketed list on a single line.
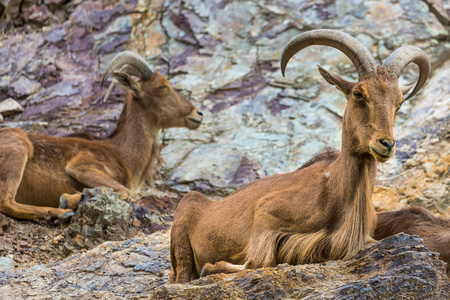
[(369, 115)]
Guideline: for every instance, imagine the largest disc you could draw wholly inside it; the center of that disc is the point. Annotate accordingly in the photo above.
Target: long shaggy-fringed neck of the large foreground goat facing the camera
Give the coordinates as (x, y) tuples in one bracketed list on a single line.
[(352, 180)]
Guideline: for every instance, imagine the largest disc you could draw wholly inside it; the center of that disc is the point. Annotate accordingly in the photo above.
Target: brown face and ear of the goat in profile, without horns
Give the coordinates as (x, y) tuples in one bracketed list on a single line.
[(161, 102)]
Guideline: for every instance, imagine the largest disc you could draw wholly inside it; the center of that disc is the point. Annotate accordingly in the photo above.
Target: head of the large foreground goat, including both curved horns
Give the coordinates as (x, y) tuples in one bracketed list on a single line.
[(375, 98)]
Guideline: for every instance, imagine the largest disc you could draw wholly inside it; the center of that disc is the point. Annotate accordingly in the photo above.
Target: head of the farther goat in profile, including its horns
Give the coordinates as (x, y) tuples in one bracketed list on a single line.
[(153, 92)]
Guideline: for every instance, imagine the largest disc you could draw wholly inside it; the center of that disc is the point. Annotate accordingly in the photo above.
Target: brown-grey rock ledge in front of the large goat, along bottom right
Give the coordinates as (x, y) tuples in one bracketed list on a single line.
[(397, 267)]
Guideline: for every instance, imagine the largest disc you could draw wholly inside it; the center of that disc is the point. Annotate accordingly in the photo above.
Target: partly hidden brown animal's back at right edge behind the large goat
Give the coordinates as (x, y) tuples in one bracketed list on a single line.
[(434, 230)]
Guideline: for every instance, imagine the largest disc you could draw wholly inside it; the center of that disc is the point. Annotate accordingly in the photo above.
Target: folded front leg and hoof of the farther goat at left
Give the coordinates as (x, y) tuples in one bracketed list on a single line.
[(91, 173)]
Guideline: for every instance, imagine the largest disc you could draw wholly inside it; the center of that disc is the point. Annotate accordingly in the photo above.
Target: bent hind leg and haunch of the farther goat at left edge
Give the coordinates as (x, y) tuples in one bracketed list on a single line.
[(15, 151)]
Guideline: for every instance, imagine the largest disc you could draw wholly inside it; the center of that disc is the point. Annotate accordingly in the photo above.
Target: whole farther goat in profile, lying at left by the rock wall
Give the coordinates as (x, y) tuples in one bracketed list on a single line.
[(39, 173)]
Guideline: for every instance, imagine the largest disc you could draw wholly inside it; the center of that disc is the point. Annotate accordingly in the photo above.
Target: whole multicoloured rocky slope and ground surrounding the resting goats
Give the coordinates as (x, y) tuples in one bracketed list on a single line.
[(224, 56)]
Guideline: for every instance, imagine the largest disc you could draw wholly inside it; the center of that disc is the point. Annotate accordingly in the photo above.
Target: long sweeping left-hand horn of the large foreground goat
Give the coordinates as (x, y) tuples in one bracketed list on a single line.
[(351, 47)]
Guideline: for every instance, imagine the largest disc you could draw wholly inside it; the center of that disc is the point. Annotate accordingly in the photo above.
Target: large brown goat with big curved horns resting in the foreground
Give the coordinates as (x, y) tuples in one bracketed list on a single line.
[(321, 212)]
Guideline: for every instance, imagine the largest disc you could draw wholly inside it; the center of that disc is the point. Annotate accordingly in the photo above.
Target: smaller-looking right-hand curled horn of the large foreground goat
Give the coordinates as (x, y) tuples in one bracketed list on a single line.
[(400, 58)]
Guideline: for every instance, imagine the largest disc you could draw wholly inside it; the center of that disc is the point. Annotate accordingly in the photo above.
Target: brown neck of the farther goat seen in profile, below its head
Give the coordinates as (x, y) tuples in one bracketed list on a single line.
[(135, 141)]
